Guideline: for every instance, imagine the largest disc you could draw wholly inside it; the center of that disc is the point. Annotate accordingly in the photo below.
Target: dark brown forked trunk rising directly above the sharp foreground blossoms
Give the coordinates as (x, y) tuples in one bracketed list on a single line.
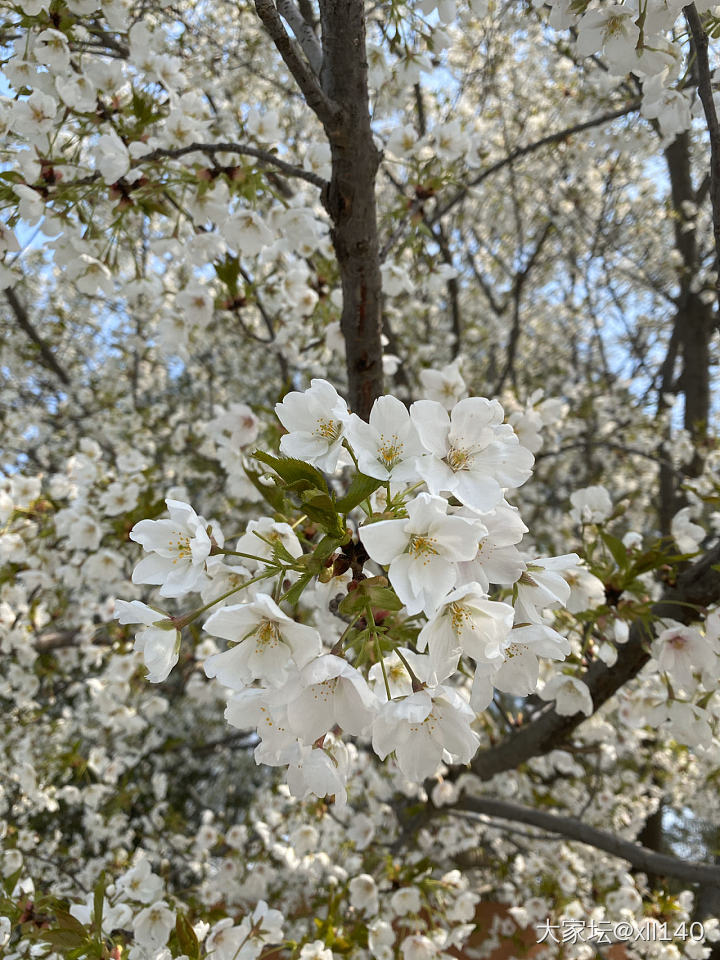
[(332, 76)]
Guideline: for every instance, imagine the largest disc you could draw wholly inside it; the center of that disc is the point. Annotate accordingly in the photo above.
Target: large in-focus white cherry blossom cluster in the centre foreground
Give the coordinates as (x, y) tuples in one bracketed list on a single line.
[(430, 539)]
